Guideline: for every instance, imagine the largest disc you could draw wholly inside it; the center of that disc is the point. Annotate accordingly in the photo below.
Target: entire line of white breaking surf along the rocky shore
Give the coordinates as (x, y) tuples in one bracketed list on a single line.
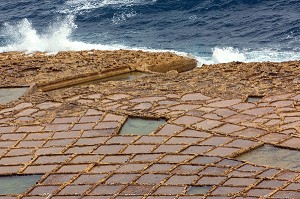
[(24, 37)]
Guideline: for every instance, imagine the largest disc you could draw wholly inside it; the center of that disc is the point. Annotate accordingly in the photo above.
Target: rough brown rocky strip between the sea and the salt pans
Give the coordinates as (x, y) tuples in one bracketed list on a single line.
[(230, 80)]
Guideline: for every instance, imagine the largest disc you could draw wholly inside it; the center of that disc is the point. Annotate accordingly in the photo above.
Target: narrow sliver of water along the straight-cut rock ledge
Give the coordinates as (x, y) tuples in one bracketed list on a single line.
[(122, 77)]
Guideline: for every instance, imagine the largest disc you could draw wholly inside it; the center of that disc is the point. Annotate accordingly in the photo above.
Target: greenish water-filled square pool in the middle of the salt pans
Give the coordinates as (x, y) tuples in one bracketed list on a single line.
[(140, 126)]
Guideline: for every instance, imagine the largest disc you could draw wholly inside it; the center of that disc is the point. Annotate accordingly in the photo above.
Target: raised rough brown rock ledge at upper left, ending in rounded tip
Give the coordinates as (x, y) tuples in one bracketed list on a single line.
[(17, 68)]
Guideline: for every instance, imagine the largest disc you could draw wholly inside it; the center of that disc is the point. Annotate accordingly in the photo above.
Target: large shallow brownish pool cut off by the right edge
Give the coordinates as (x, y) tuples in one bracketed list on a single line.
[(273, 156)]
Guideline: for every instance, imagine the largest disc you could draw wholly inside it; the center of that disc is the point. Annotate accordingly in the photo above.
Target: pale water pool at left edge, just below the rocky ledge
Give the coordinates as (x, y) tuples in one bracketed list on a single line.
[(10, 94)]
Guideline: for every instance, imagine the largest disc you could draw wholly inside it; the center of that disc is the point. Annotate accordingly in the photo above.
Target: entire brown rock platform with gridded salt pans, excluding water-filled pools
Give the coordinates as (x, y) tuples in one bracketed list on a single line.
[(68, 131)]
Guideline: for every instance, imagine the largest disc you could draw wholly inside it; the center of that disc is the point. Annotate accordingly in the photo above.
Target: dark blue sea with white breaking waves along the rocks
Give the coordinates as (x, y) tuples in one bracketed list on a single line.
[(212, 31)]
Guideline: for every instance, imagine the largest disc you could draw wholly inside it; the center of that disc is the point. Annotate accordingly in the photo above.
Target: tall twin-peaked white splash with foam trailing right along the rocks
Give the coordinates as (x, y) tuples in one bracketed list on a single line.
[(24, 37)]
